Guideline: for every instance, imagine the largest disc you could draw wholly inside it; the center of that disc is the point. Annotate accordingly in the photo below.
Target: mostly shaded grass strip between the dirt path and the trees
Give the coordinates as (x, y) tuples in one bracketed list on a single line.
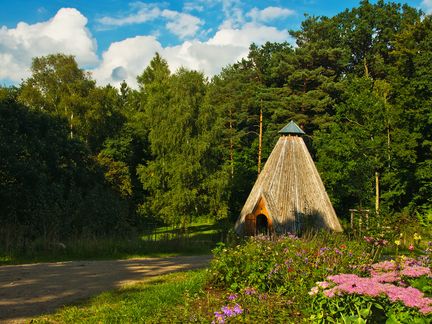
[(200, 238)]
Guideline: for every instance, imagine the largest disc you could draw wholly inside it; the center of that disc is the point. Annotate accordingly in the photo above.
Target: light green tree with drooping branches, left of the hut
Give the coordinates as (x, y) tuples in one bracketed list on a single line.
[(183, 177)]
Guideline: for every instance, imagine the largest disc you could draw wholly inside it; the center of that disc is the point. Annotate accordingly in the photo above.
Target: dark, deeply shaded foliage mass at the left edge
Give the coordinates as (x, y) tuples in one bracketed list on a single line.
[(50, 187)]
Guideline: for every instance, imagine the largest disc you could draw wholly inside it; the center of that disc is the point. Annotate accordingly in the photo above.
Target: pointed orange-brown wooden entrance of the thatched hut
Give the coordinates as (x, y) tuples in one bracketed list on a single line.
[(258, 222)]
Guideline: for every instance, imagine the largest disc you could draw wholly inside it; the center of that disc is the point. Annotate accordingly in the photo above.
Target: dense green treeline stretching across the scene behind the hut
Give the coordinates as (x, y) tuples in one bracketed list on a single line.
[(79, 159)]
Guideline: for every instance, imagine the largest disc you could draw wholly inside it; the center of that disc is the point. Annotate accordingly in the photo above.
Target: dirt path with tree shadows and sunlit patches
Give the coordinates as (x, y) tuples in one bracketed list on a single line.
[(32, 289)]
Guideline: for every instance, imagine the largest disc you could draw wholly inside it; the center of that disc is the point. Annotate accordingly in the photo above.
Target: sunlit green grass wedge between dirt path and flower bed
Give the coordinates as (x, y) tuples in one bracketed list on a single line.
[(146, 302)]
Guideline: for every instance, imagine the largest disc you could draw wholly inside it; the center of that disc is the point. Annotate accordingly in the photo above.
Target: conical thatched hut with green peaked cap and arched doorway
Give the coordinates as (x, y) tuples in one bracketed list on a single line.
[(289, 195)]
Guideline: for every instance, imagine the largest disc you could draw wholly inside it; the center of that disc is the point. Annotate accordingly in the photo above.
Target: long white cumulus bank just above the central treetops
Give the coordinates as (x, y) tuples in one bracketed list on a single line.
[(132, 56)]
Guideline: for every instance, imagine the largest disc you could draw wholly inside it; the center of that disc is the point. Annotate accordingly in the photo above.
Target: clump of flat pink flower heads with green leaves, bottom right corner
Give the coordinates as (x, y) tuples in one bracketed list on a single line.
[(394, 290)]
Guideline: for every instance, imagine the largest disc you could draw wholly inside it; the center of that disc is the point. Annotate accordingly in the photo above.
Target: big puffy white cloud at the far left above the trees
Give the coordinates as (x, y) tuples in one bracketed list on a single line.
[(64, 33)]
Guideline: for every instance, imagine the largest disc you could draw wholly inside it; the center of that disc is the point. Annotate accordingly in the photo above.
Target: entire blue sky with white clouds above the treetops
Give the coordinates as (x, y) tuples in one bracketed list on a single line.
[(116, 39)]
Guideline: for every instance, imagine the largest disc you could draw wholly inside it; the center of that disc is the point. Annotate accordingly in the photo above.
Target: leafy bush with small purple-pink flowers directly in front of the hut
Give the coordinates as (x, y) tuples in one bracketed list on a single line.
[(287, 265)]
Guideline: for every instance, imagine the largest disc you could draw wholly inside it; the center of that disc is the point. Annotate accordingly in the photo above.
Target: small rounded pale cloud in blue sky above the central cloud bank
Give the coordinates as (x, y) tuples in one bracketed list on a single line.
[(181, 24)]
